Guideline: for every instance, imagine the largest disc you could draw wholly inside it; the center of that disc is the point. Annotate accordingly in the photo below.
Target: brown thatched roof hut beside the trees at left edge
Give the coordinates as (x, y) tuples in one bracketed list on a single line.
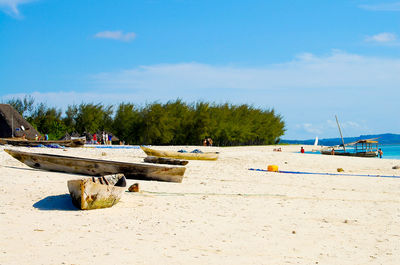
[(12, 124)]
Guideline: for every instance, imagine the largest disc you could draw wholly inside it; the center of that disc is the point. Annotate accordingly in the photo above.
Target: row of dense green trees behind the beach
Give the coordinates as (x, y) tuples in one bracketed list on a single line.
[(172, 123)]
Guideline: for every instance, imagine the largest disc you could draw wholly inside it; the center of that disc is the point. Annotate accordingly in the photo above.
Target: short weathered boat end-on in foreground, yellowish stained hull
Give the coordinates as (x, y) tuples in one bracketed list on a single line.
[(95, 193)]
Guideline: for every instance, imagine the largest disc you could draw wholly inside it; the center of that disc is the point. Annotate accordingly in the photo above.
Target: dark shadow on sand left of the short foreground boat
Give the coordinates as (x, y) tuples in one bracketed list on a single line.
[(57, 202)]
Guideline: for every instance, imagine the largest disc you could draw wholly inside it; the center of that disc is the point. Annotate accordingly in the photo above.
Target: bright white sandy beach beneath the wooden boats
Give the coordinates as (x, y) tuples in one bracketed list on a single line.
[(221, 213)]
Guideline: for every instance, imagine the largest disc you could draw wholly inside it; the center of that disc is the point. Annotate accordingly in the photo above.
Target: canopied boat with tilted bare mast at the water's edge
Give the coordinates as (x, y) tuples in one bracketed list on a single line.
[(360, 148)]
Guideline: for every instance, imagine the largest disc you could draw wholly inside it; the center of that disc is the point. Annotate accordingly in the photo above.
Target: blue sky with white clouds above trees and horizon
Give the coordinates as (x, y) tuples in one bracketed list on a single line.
[(307, 60)]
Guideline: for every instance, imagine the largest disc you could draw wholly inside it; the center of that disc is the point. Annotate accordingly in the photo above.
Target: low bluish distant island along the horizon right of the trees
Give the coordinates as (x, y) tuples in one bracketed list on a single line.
[(387, 138)]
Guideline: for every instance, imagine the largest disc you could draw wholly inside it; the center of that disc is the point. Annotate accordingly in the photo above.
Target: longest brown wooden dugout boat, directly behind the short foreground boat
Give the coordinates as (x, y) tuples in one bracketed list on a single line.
[(97, 167)]
